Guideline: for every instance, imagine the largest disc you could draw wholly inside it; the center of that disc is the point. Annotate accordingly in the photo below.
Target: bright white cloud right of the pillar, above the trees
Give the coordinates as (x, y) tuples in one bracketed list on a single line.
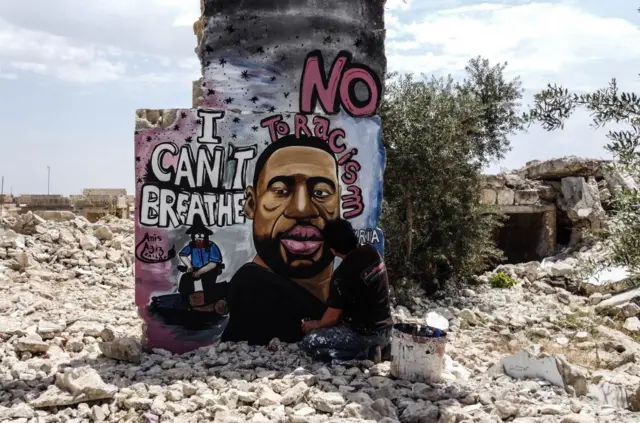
[(538, 40)]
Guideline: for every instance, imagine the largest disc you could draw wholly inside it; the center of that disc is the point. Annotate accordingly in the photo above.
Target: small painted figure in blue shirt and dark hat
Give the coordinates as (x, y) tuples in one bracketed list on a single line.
[(202, 262)]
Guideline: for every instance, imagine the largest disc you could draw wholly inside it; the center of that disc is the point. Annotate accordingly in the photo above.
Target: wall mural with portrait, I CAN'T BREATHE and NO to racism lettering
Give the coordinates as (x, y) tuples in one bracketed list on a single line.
[(231, 204)]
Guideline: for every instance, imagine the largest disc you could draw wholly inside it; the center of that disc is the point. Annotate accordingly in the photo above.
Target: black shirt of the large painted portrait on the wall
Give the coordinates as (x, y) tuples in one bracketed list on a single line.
[(264, 305)]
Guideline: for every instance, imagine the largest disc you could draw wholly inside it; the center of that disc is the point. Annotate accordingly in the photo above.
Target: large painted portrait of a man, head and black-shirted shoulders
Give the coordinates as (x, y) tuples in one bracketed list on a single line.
[(295, 191)]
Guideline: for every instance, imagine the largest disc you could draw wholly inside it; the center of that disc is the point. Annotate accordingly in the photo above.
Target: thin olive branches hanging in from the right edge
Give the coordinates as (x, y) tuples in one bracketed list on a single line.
[(556, 104)]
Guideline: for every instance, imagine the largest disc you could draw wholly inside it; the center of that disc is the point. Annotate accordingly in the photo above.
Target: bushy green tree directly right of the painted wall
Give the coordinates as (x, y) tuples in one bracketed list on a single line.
[(439, 134)]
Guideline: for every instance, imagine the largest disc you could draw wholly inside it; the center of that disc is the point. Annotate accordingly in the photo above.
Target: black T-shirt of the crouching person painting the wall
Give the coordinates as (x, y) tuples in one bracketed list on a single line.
[(360, 288)]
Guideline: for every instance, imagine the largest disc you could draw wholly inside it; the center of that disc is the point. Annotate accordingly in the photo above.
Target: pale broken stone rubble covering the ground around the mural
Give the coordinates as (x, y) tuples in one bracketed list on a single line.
[(70, 348)]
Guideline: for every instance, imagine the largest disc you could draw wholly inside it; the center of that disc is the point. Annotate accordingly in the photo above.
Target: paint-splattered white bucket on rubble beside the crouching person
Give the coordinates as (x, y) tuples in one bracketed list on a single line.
[(414, 356)]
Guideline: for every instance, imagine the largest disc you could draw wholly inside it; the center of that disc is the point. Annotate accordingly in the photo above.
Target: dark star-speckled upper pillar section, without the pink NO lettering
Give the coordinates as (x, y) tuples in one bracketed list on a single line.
[(256, 48)]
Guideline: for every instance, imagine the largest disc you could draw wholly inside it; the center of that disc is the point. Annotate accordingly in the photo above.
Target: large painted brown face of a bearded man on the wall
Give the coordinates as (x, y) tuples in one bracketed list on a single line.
[(296, 193)]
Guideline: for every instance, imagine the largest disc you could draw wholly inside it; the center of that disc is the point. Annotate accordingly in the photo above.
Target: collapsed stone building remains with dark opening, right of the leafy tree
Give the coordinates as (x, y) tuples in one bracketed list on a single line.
[(550, 204)]
